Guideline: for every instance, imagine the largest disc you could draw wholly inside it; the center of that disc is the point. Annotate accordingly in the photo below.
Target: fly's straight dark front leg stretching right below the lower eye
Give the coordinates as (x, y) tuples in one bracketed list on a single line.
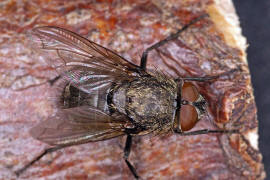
[(205, 131)]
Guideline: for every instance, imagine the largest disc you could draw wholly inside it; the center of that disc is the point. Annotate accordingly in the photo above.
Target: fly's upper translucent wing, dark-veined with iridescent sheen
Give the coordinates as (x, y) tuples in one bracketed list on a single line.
[(84, 63)]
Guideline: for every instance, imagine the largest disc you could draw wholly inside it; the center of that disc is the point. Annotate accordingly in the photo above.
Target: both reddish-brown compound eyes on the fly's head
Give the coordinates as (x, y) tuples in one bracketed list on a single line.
[(188, 114)]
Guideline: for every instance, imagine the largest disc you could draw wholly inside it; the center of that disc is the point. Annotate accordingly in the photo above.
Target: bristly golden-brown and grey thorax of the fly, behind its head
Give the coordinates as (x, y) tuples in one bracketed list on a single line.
[(150, 102)]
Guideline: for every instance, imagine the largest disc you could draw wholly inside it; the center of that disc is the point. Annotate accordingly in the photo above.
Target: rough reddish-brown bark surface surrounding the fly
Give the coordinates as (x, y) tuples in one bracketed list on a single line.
[(128, 27)]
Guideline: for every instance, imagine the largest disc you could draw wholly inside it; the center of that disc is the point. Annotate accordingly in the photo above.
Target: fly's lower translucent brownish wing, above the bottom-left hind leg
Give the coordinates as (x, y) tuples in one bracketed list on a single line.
[(77, 126)]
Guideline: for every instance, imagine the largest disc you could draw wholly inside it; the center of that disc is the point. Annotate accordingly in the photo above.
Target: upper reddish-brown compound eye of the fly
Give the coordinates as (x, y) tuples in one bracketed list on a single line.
[(189, 92)]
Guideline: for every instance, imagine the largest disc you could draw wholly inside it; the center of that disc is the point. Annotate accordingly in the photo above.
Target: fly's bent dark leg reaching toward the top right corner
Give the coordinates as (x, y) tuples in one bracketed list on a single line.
[(164, 41)]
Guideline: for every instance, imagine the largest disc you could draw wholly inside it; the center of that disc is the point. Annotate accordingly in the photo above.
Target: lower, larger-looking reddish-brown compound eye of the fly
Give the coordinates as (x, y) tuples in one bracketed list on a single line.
[(188, 117)]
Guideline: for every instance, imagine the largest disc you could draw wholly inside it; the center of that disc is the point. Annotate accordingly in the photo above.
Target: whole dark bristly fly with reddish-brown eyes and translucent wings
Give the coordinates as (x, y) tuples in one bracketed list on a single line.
[(106, 96)]
